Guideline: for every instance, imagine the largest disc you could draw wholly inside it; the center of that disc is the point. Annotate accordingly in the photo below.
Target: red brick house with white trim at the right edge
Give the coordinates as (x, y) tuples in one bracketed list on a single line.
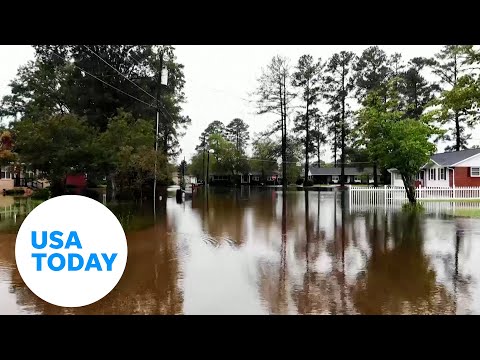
[(449, 169)]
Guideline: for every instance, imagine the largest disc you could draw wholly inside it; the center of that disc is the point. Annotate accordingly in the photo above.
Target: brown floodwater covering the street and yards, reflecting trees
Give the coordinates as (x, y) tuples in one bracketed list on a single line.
[(255, 251)]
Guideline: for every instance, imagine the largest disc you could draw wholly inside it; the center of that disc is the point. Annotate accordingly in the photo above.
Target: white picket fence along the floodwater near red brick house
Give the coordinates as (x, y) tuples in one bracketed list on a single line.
[(389, 195)]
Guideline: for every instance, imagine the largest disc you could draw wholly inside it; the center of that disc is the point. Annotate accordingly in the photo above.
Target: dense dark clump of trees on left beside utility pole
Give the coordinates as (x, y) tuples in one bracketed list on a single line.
[(92, 109)]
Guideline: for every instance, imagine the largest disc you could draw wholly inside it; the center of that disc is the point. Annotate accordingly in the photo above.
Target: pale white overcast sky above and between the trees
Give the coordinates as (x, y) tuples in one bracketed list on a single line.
[(219, 78)]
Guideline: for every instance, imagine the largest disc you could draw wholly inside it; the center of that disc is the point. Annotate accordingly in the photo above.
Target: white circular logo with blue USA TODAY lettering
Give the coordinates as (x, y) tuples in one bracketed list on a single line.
[(71, 251)]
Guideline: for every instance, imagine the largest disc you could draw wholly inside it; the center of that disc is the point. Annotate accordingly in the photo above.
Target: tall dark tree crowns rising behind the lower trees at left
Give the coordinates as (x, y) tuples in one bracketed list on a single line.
[(54, 84)]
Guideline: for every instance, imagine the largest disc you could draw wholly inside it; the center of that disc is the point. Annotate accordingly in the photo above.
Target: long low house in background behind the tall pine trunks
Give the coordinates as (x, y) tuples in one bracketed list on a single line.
[(327, 175)]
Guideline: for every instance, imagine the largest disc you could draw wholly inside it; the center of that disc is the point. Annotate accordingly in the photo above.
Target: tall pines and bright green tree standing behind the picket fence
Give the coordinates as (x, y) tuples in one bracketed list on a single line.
[(375, 108)]
